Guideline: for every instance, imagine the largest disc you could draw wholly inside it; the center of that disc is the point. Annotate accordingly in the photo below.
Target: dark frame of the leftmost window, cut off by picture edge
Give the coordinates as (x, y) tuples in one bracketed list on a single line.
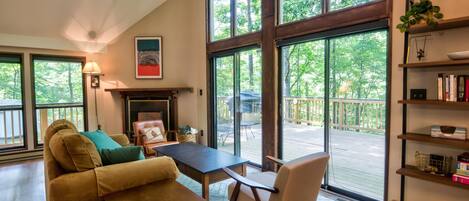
[(23, 107)]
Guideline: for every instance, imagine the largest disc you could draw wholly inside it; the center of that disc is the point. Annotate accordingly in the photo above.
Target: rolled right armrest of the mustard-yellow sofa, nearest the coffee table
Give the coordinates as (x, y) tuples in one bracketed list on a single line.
[(123, 176)]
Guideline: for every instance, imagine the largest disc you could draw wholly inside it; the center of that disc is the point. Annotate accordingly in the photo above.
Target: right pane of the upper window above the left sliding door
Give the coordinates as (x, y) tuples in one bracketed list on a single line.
[(248, 16)]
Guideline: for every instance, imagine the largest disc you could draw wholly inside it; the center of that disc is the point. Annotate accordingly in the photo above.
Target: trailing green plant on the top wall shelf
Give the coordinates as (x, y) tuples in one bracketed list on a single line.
[(421, 11)]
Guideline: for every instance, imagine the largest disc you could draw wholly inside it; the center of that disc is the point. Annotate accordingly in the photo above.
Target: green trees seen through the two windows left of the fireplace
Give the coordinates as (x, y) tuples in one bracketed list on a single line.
[(54, 82)]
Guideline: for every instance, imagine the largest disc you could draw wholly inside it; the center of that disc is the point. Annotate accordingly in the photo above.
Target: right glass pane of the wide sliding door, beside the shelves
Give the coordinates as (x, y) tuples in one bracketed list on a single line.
[(357, 113)]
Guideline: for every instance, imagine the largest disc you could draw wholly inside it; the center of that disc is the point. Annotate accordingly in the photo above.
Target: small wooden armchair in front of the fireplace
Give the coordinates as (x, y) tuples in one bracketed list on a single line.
[(140, 139)]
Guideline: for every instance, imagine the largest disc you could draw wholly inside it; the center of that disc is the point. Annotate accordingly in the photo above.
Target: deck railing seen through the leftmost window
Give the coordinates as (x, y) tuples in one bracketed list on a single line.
[(11, 126)]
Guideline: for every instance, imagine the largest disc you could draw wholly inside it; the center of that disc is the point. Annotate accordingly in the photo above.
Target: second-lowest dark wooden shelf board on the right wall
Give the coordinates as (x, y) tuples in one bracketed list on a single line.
[(461, 144)]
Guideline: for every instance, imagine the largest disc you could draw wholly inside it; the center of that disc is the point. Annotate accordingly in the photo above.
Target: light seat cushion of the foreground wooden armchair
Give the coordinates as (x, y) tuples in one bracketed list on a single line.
[(245, 194)]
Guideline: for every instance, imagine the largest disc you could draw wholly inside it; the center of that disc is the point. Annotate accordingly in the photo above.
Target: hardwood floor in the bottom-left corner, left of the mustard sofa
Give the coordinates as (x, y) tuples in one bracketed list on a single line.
[(22, 181)]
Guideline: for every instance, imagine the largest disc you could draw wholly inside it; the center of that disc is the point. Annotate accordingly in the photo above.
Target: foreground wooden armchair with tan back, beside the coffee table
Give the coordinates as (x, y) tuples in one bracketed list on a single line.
[(299, 179)]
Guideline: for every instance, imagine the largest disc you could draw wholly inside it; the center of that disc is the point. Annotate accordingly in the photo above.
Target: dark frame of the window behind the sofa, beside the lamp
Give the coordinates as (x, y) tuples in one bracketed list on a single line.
[(58, 58)]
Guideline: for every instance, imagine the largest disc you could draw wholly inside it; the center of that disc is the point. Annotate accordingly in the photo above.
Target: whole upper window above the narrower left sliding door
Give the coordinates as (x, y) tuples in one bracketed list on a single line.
[(231, 18)]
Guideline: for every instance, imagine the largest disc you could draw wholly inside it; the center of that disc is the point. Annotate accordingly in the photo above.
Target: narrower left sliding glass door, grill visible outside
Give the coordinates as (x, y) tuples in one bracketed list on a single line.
[(238, 89)]
